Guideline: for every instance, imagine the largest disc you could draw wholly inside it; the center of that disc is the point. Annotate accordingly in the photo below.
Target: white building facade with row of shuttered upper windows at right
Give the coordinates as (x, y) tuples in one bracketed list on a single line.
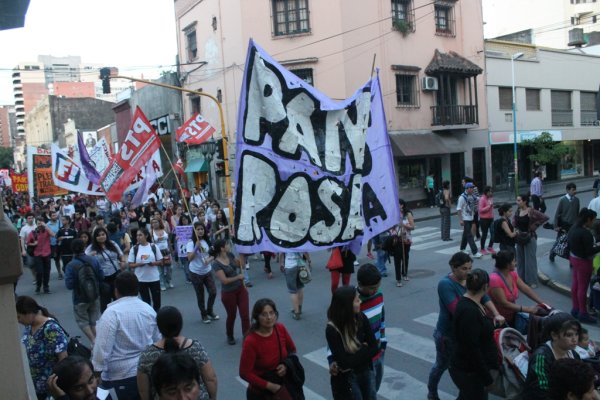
[(556, 93)]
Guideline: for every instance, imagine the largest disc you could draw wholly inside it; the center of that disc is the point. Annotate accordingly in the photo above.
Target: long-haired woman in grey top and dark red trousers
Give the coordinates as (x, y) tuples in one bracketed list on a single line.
[(233, 292)]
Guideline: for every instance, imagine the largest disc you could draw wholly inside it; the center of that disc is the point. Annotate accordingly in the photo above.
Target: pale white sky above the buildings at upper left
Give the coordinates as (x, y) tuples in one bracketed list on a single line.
[(137, 36)]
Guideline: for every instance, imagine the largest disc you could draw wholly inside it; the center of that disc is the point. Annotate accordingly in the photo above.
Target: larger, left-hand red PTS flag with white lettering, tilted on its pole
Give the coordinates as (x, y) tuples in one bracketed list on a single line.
[(139, 146)]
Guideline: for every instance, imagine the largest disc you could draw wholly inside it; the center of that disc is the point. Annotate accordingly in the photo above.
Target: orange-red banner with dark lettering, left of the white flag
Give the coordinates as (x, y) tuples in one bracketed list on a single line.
[(39, 174)]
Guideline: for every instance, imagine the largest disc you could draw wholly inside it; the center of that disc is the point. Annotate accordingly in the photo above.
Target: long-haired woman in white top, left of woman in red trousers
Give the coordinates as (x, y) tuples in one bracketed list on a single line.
[(201, 273)]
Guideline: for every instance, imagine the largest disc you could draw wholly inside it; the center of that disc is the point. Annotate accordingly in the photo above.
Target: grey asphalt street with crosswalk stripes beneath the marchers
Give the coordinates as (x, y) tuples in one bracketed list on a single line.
[(411, 313)]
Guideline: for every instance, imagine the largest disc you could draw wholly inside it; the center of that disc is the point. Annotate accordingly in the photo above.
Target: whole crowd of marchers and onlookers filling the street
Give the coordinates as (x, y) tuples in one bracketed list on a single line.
[(118, 259)]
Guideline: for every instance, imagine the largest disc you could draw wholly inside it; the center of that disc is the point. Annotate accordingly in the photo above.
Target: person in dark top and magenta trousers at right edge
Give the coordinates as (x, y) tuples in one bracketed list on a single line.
[(582, 249)]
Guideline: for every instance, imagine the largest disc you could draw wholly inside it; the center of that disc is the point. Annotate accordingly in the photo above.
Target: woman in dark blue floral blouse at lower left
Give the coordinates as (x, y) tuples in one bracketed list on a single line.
[(44, 340)]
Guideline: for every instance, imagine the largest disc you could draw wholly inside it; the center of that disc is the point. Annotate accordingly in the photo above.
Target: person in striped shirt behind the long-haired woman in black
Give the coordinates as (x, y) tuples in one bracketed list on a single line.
[(371, 304)]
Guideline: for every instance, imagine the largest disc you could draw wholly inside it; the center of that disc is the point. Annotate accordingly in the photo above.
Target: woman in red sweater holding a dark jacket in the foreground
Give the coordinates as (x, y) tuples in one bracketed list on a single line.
[(265, 347)]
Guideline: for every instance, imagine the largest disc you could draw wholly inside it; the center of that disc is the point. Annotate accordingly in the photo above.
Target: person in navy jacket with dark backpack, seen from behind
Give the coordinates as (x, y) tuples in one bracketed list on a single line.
[(83, 275)]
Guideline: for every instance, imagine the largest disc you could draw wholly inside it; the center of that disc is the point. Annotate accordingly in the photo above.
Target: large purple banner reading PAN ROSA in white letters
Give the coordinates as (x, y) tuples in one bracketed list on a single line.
[(312, 173)]
